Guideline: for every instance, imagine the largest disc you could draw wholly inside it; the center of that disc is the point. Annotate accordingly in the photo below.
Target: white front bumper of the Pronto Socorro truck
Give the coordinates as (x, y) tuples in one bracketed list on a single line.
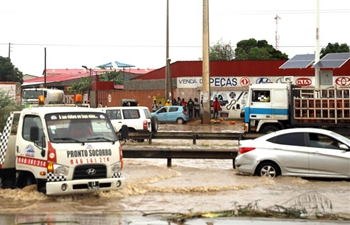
[(83, 186)]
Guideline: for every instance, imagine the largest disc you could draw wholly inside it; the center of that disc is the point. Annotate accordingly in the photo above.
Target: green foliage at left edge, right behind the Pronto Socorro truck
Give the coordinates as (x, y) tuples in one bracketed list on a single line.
[(7, 104)]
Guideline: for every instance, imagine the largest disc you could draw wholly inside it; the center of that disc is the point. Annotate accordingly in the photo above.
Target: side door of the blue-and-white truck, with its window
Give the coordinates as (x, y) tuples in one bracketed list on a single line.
[(260, 106)]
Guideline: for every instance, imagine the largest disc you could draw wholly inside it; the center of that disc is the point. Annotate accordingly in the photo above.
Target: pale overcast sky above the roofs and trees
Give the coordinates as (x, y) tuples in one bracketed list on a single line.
[(91, 32)]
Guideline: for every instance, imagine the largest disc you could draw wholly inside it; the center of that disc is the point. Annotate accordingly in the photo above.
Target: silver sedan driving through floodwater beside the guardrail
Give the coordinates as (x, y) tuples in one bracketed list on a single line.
[(303, 152)]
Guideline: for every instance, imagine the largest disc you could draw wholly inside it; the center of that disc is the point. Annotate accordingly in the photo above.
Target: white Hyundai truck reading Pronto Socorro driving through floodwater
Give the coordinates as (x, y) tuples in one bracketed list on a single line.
[(63, 150)]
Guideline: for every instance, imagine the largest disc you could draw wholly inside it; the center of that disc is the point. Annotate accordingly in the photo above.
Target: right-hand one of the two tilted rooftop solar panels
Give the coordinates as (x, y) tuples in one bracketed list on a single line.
[(333, 60)]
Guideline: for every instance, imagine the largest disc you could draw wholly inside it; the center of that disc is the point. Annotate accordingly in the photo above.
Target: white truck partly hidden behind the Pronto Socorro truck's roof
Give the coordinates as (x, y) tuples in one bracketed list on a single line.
[(52, 96)]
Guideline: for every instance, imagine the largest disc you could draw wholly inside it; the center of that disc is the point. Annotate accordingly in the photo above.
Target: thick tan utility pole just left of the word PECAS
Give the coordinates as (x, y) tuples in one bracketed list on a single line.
[(206, 115)]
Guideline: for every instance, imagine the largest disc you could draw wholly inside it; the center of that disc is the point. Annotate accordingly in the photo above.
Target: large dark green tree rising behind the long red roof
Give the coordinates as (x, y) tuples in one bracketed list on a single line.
[(252, 49)]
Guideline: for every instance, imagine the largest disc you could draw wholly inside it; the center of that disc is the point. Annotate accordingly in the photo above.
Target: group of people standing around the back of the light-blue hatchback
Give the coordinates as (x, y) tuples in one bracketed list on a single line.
[(193, 106)]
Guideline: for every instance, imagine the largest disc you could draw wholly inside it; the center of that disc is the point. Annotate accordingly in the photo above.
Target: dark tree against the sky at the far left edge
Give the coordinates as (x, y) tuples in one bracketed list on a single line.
[(8, 72)]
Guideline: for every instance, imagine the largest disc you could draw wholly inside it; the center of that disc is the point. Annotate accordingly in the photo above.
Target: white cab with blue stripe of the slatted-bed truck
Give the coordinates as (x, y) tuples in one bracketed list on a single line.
[(266, 108)]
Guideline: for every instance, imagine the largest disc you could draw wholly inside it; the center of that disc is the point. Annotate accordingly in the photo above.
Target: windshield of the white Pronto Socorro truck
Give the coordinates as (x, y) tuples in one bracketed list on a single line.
[(79, 127)]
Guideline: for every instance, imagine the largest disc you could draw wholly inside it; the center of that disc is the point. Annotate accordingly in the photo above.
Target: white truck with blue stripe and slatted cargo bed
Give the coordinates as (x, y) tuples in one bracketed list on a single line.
[(275, 106)]
